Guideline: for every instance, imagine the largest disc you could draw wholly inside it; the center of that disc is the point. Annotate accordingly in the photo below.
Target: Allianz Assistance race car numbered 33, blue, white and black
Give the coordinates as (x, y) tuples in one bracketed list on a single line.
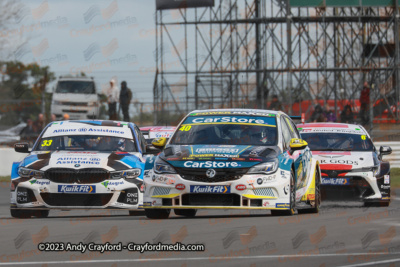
[(80, 164)]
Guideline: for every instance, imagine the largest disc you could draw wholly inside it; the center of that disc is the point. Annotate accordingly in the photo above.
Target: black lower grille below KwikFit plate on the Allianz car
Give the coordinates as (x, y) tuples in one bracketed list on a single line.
[(76, 200)]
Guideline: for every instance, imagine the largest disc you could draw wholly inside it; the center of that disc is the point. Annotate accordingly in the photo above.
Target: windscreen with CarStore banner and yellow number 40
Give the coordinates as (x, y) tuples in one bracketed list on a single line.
[(229, 130)]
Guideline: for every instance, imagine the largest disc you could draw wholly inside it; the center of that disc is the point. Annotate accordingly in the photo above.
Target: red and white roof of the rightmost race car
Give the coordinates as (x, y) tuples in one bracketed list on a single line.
[(331, 127)]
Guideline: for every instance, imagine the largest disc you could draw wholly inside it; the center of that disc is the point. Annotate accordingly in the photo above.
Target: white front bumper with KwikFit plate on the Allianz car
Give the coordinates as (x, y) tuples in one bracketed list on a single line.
[(44, 194)]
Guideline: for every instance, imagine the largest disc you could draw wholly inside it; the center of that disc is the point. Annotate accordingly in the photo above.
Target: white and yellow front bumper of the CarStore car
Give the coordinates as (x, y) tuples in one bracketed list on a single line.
[(171, 191)]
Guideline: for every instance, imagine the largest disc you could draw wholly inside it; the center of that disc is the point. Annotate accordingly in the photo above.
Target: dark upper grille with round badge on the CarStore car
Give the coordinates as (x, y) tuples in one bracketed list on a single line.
[(222, 175)]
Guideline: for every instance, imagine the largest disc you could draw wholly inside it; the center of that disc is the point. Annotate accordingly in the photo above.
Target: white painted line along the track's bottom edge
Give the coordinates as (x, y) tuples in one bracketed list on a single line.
[(200, 259)]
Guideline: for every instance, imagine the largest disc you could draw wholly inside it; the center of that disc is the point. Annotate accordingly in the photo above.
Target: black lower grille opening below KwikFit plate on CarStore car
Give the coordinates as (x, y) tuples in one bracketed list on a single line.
[(210, 200)]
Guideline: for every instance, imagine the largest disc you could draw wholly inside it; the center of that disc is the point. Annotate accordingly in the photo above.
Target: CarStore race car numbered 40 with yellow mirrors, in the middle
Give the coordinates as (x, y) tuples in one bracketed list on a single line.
[(232, 159)]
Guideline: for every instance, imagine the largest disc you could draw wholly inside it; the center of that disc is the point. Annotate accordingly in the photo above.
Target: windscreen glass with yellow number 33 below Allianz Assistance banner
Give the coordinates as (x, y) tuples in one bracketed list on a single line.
[(86, 143)]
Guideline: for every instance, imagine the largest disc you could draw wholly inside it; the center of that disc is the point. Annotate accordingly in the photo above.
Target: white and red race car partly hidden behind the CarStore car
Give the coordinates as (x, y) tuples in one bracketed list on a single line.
[(352, 168)]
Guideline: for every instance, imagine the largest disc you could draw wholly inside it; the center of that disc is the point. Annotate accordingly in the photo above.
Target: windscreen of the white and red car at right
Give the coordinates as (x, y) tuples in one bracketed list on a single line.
[(337, 142)]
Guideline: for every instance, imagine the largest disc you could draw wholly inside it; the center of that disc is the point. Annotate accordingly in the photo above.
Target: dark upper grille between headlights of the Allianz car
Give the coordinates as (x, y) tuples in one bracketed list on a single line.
[(82, 176)]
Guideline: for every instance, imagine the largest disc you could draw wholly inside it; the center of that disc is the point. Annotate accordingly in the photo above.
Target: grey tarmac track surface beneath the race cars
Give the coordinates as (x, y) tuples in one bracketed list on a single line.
[(343, 234)]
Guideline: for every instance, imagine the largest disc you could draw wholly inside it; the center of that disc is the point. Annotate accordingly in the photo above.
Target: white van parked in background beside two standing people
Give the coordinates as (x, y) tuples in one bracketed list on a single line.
[(76, 97)]
